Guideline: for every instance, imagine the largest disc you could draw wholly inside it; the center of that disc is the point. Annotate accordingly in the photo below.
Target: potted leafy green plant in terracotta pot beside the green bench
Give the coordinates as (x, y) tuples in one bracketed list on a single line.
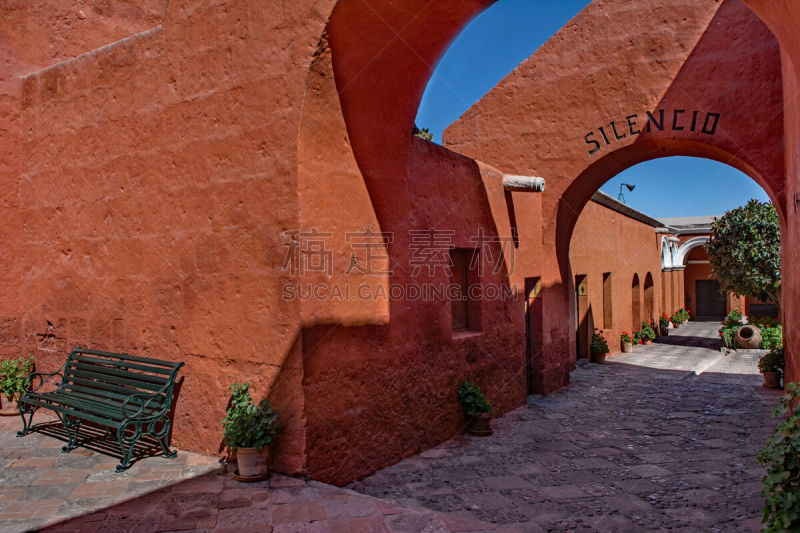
[(249, 430)]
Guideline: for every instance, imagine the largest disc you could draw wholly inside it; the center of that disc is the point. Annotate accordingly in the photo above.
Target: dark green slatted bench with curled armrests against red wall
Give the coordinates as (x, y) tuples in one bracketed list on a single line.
[(131, 396)]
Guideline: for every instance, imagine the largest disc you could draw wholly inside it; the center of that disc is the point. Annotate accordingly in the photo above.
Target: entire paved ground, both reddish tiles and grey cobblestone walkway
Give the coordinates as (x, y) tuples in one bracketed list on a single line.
[(661, 439)]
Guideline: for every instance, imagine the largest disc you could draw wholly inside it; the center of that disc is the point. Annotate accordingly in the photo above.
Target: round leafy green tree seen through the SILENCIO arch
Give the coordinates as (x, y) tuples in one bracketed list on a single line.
[(745, 251)]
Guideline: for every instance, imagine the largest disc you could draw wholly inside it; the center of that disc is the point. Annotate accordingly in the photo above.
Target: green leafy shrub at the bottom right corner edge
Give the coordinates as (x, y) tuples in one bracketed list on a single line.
[(781, 456)]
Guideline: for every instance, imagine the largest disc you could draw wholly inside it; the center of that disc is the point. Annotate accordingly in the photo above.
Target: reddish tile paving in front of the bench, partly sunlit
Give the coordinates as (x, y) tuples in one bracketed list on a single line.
[(45, 490)]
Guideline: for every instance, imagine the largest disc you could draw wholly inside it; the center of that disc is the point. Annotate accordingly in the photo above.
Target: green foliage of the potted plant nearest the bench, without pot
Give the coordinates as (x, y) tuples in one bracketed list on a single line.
[(246, 425)]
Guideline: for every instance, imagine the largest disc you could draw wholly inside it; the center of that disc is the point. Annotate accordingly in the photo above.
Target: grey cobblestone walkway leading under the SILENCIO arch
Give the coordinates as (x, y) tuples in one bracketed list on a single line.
[(661, 439)]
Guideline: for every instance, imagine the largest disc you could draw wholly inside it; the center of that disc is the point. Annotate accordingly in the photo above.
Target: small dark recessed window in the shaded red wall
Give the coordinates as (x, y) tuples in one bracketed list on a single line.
[(465, 306)]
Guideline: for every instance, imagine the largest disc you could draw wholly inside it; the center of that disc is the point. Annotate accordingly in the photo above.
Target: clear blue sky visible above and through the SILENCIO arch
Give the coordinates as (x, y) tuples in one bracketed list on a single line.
[(499, 39)]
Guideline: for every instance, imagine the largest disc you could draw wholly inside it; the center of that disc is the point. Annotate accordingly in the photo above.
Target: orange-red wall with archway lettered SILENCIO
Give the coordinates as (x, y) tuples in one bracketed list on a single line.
[(569, 104)]
